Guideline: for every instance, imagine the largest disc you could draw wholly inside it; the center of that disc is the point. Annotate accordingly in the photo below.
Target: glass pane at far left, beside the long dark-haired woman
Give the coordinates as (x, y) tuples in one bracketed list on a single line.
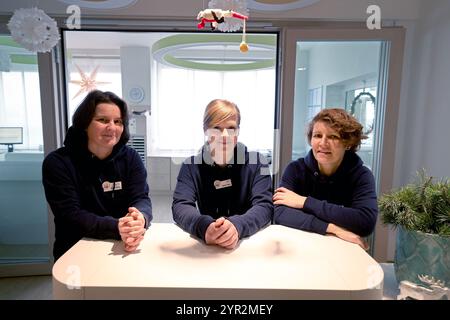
[(23, 209)]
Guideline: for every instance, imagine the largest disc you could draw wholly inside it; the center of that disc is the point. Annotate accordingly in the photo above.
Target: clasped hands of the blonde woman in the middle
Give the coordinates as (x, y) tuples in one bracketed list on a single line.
[(222, 232)]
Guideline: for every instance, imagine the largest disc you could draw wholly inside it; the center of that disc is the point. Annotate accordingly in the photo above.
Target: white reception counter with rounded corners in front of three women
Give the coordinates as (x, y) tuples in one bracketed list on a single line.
[(275, 263)]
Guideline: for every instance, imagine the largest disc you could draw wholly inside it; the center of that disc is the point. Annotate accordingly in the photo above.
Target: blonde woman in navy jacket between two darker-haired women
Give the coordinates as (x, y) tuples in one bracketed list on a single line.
[(224, 193)]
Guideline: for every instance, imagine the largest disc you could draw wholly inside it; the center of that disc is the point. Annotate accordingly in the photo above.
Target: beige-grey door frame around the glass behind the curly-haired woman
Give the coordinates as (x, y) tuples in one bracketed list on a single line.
[(395, 37)]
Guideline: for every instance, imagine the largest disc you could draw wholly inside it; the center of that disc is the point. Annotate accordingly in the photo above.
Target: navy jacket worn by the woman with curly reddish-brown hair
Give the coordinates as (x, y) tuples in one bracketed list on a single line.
[(347, 198)]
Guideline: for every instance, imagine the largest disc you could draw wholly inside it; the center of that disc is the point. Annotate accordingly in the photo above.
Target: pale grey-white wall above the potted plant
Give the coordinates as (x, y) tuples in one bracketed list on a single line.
[(423, 136)]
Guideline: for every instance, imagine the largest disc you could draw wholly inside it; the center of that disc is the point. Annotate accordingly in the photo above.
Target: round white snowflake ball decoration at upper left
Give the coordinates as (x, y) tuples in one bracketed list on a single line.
[(33, 29)]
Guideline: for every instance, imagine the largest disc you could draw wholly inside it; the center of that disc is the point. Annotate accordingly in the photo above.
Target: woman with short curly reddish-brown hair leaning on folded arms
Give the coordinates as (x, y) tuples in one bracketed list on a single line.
[(330, 190)]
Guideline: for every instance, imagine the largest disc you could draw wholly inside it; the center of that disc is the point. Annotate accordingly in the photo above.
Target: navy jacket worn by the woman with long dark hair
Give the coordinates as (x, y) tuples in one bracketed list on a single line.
[(73, 179)]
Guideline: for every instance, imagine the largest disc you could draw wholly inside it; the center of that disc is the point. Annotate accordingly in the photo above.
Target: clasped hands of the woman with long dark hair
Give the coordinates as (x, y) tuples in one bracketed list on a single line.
[(132, 229)]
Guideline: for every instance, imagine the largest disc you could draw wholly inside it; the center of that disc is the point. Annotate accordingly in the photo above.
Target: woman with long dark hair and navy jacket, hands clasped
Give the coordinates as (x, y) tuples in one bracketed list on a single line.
[(96, 185)]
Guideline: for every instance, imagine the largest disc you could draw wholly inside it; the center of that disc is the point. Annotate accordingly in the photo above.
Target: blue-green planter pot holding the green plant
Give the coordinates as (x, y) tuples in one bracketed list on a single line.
[(419, 253)]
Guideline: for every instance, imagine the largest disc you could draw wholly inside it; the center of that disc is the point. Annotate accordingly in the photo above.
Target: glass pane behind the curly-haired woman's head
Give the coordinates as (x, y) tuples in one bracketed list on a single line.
[(335, 73)]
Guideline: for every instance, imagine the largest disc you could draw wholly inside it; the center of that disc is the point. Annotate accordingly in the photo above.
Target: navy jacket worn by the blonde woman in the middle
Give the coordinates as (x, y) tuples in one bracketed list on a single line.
[(247, 203)]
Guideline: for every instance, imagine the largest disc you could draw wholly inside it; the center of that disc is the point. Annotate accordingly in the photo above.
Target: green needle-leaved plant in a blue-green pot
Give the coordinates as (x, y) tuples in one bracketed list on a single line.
[(421, 212)]
